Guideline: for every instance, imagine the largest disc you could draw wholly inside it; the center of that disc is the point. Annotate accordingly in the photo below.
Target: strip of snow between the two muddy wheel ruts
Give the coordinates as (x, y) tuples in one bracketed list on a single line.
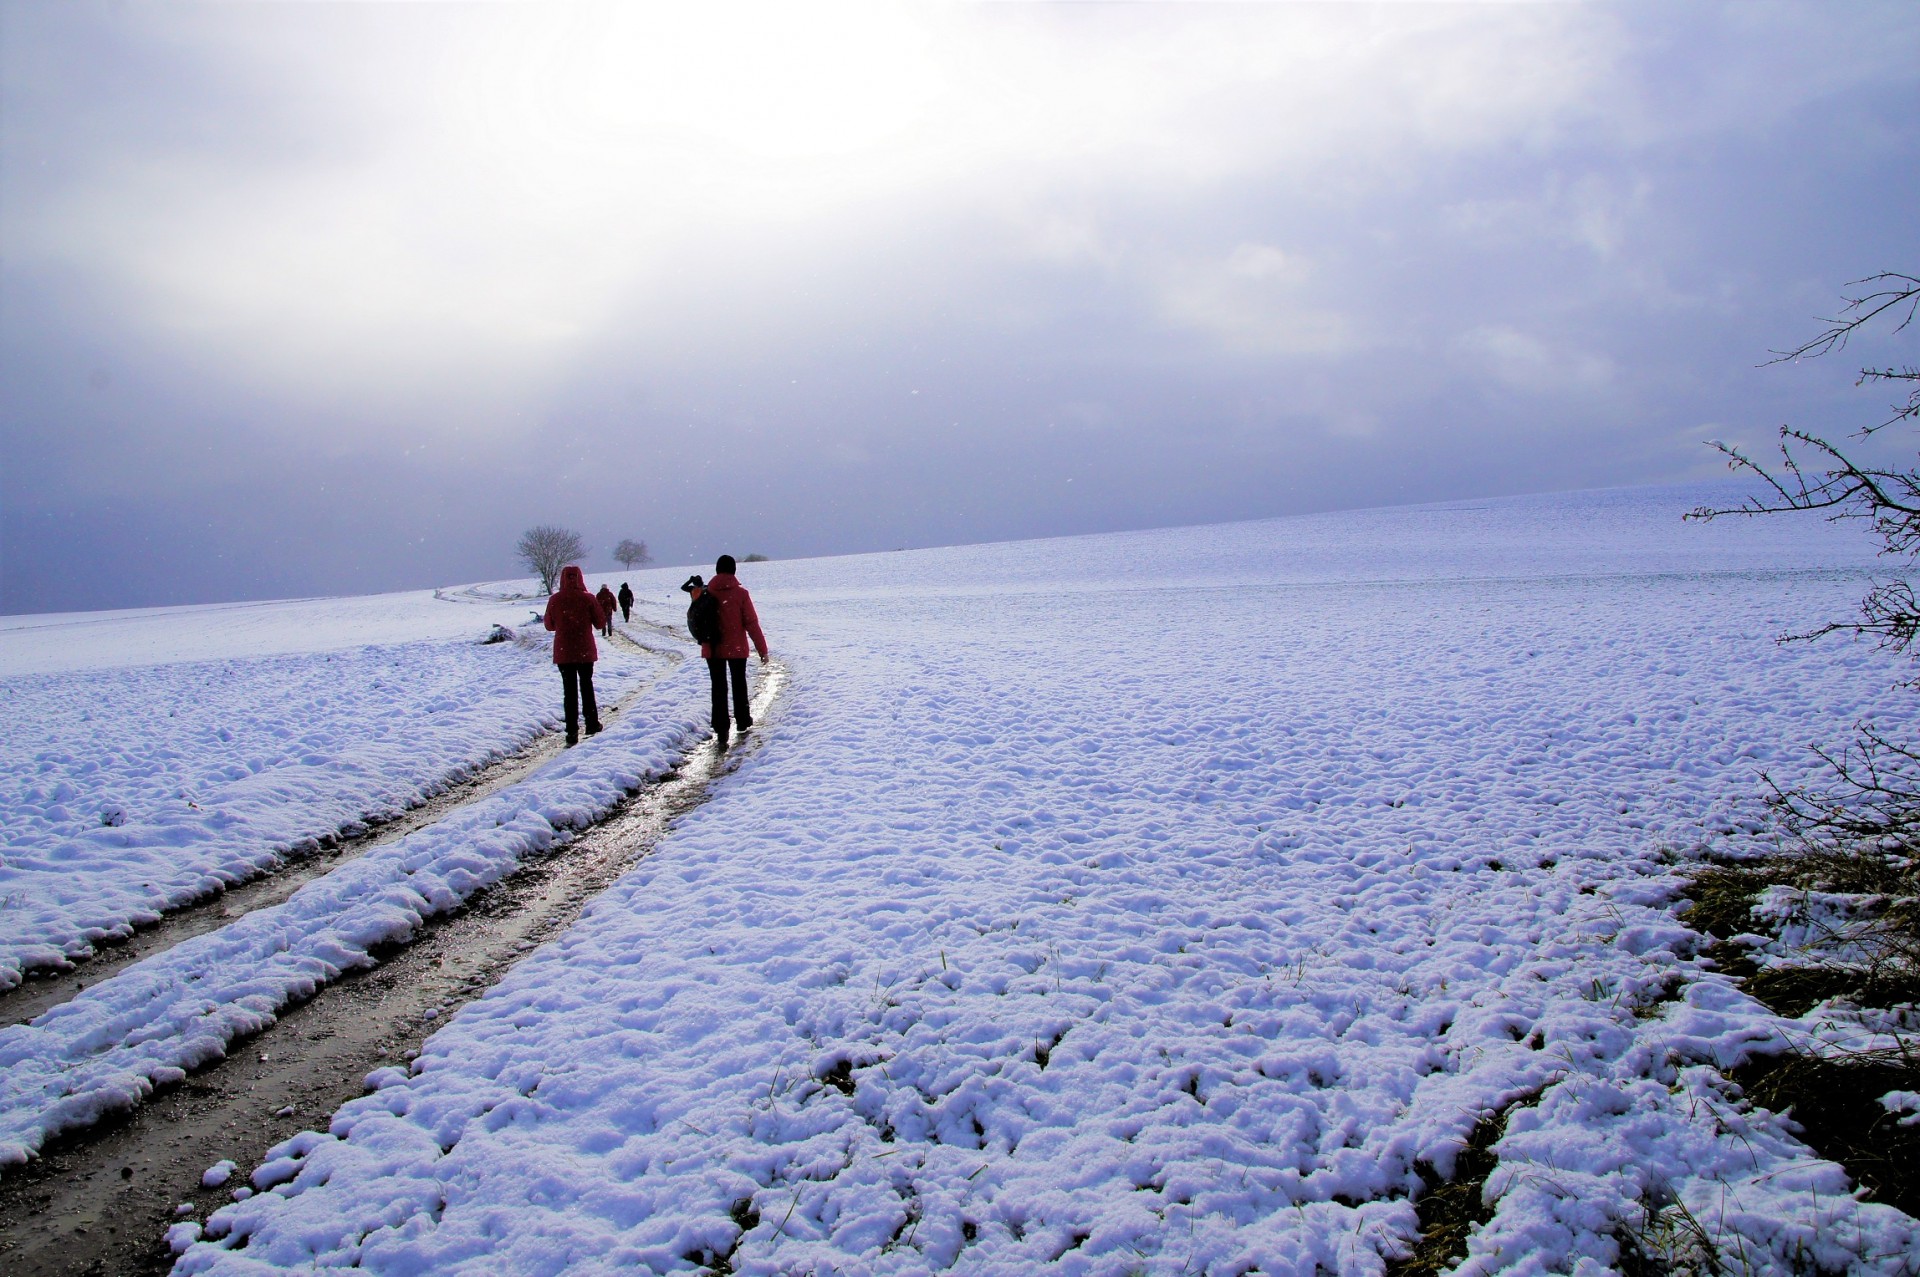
[(158, 1021)]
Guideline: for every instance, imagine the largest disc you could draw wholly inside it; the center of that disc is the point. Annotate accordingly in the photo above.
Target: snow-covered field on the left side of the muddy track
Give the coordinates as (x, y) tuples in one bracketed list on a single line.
[(235, 738)]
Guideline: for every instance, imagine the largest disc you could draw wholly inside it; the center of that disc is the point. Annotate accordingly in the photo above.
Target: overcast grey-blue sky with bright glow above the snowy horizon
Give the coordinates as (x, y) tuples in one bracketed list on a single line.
[(318, 299)]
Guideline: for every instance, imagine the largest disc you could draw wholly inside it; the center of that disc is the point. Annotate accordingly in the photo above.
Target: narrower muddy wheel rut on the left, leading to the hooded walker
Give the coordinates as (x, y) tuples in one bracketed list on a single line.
[(49, 988)]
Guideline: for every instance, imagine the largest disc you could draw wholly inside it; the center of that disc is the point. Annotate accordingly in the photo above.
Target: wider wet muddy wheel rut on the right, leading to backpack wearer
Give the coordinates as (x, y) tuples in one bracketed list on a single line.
[(99, 1201)]
